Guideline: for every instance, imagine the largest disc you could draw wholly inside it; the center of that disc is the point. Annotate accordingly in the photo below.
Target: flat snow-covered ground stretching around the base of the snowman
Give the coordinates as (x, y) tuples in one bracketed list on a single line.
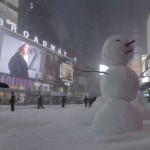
[(56, 128)]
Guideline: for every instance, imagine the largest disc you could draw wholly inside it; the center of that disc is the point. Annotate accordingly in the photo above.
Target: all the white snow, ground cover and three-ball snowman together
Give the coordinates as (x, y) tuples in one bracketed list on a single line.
[(112, 116)]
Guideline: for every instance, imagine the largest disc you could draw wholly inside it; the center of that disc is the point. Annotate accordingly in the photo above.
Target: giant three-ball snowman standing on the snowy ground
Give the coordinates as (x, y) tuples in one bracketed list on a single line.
[(119, 87)]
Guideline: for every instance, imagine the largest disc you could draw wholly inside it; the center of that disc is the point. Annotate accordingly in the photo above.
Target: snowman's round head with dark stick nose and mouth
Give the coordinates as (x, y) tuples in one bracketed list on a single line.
[(117, 50)]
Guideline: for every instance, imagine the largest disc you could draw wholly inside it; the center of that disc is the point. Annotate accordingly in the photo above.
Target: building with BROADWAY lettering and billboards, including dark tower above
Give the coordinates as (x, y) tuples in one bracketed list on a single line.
[(50, 66)]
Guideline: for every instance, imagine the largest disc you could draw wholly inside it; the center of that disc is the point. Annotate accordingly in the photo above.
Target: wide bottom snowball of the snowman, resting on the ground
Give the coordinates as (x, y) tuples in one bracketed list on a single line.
[(116, 117)]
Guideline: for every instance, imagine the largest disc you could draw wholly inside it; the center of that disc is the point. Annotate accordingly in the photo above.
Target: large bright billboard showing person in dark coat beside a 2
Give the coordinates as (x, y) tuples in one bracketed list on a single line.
[(21, 59)]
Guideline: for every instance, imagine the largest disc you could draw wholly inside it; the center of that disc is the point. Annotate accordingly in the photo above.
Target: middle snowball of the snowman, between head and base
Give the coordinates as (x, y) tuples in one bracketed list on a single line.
[(120, 83)]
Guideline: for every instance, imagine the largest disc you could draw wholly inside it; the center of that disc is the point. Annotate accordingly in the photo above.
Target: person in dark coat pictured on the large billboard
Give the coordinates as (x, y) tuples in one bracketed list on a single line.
[(18, 64)]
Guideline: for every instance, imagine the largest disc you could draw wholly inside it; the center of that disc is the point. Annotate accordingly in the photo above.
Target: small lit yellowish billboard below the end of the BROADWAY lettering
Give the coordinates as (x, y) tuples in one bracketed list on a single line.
[(66, 72)]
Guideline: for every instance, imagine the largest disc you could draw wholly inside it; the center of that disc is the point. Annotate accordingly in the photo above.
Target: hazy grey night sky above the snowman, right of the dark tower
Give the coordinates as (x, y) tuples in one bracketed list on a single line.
[(88, 23)]
